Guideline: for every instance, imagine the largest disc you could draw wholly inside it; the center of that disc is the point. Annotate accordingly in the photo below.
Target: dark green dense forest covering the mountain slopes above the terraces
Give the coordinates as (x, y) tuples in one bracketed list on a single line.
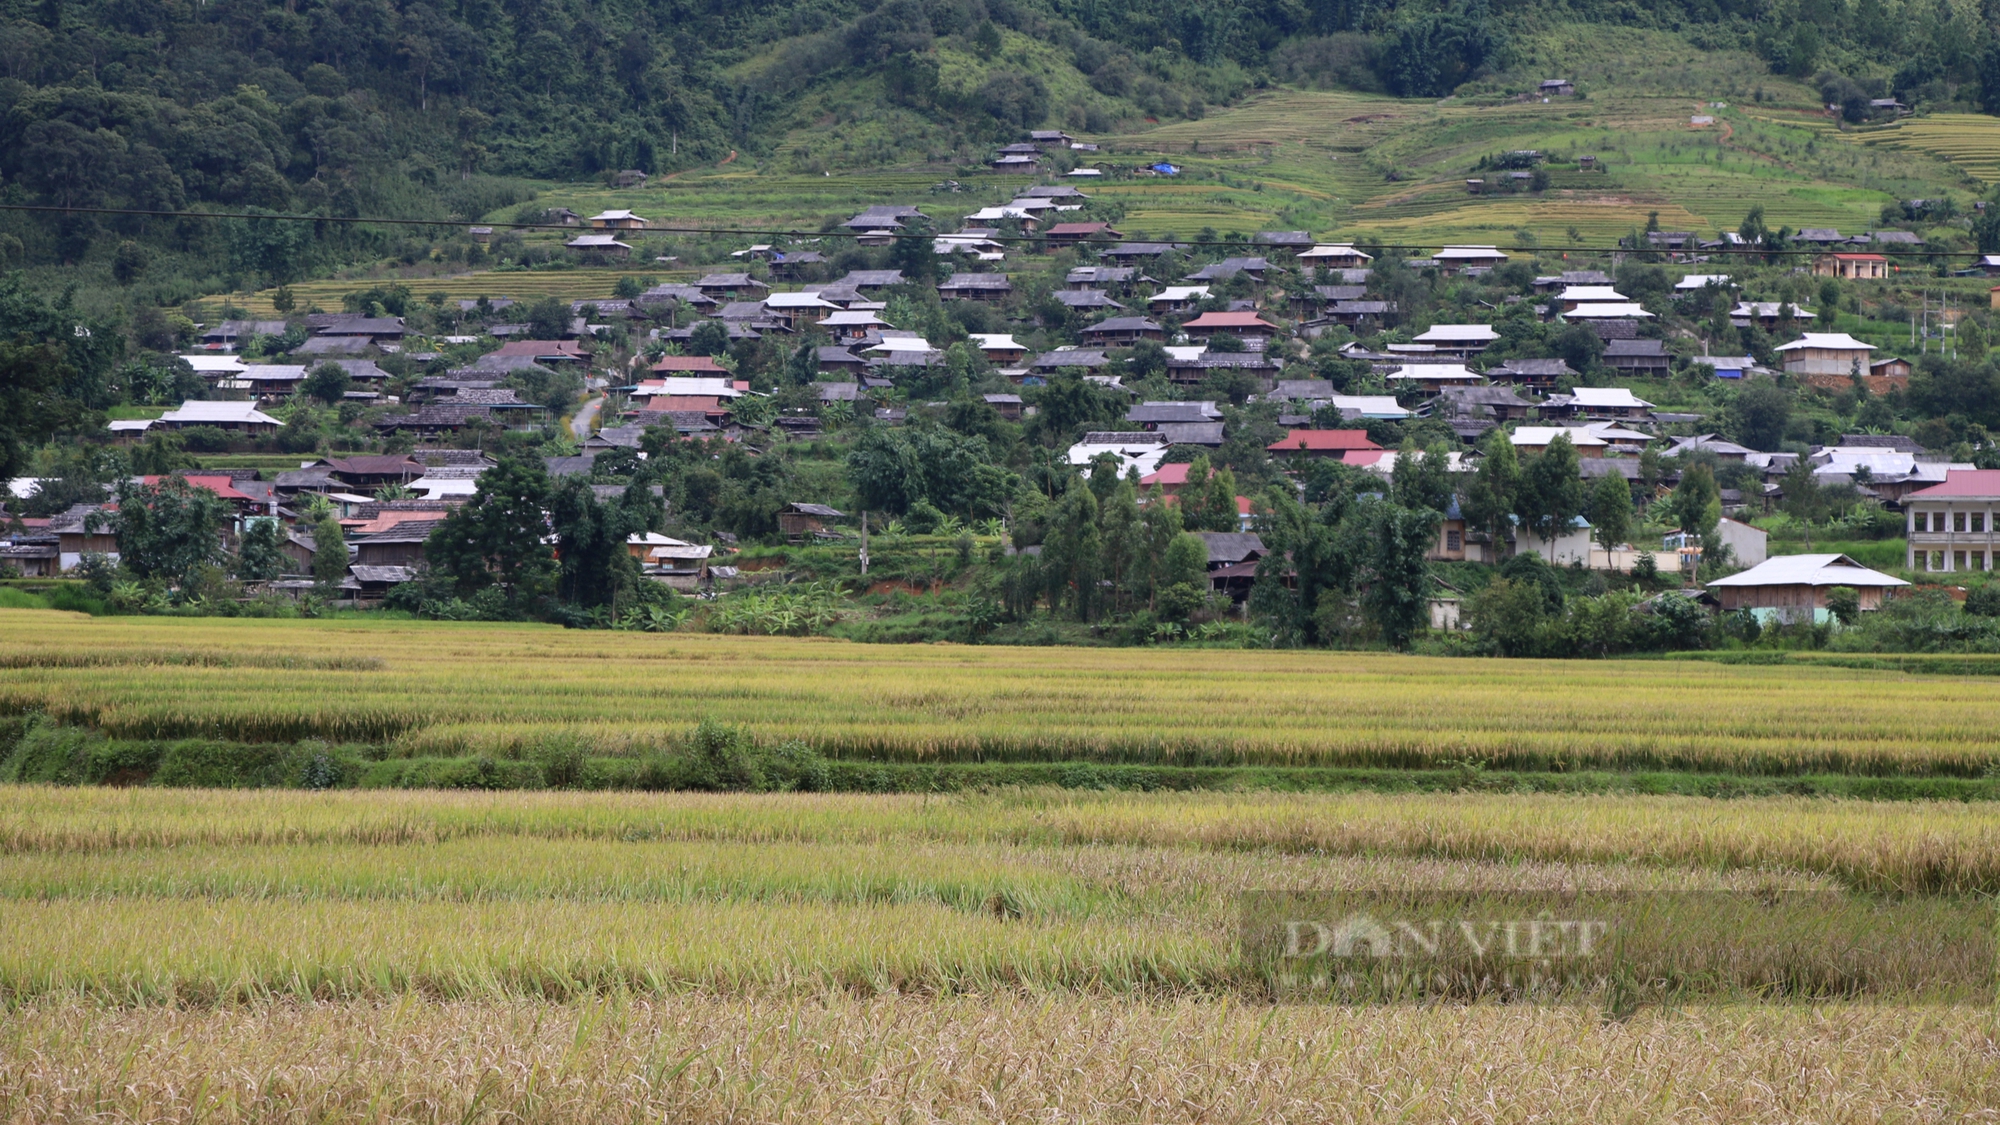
[(439, 109)]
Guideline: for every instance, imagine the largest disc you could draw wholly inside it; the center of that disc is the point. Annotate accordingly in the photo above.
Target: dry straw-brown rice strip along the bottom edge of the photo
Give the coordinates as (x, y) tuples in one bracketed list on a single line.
[(1003, 1058)]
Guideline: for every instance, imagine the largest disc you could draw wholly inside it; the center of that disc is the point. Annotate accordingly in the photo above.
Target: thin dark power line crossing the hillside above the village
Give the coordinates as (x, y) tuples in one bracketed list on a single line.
[(1027, 239)]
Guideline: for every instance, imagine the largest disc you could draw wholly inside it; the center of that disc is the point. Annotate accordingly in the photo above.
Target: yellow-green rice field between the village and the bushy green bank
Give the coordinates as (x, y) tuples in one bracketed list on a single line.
[(501, 690)]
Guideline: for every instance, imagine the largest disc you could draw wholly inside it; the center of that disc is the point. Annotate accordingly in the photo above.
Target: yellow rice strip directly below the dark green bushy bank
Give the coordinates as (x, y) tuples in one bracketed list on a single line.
[(1917, 848)]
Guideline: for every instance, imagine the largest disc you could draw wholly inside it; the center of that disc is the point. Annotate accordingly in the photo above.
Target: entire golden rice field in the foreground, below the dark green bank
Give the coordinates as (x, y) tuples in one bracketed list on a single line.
[(177, 956)]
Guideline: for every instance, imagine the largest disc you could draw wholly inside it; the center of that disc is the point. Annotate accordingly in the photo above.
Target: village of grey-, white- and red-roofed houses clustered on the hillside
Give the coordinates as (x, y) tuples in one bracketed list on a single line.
[(1275, 359)]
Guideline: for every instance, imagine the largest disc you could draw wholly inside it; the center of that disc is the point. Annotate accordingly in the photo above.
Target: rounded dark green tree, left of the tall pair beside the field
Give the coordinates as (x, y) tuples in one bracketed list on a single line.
[(497, 539)]
